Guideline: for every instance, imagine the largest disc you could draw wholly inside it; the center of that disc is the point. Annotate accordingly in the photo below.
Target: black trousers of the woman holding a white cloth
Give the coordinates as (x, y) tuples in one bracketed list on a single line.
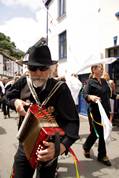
[(95, 129)]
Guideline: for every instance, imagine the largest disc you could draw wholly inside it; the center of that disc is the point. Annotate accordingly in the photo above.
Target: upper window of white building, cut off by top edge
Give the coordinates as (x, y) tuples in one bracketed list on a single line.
[(62, 8)]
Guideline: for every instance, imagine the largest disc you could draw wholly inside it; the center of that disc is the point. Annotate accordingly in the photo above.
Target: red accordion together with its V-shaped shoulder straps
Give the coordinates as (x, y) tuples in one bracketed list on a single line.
[(39, 125)]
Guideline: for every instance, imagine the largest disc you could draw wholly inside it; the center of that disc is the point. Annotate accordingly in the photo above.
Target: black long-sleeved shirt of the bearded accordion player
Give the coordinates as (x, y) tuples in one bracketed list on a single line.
[(65, 111)]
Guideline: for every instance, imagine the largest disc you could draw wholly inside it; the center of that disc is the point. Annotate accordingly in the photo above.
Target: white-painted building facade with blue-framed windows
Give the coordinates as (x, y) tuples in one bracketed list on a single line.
[(77, 30)]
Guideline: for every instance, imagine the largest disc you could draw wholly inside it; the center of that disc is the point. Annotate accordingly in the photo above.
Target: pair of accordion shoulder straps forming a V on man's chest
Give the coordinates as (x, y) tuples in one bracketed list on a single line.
[(54, 89)]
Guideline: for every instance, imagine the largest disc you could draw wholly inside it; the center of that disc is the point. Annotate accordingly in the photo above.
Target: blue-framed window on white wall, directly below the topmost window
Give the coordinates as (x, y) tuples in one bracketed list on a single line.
[(62, 46)]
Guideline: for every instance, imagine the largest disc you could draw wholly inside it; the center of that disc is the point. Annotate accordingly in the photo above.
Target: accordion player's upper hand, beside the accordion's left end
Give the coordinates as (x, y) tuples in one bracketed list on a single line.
[(19, 105)]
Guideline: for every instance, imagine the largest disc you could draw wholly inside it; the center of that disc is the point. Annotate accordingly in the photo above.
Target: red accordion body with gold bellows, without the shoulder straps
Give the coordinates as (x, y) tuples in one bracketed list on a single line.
[(36, 127)]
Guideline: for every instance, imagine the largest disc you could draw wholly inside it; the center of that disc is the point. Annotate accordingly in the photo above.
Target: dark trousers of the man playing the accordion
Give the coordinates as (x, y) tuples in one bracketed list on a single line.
[(22, 168)]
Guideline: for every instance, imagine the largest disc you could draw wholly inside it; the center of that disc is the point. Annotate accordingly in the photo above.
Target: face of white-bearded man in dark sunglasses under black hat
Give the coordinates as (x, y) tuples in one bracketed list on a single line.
[(39, 76)]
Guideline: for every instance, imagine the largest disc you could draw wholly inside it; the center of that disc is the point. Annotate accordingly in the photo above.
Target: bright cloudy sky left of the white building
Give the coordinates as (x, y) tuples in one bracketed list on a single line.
[(24, 21)]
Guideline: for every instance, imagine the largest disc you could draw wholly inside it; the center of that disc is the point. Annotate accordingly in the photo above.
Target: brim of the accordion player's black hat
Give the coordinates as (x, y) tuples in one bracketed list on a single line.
[(38, 64)]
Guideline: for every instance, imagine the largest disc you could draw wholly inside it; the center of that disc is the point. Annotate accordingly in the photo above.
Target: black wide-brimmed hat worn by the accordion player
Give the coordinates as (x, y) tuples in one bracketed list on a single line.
[(40, 56)]
